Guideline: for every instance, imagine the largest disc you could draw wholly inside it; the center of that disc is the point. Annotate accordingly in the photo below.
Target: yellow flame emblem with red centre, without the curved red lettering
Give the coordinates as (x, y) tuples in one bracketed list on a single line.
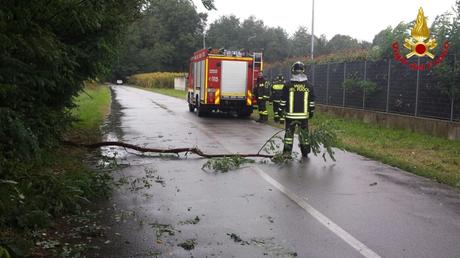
[(420, 42)]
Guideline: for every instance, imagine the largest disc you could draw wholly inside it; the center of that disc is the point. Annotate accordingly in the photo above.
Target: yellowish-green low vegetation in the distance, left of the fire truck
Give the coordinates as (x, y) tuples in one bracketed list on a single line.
[(154, 80)]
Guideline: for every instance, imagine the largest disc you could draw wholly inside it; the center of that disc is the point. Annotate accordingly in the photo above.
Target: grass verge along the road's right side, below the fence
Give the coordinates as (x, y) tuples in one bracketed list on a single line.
[(425, 155)]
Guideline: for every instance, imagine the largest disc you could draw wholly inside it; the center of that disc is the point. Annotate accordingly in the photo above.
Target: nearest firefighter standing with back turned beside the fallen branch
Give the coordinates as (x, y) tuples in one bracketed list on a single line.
[(298, 103)]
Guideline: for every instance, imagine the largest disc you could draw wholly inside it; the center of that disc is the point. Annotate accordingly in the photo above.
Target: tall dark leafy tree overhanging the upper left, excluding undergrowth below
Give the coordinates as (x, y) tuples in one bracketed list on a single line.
[(47, 50)]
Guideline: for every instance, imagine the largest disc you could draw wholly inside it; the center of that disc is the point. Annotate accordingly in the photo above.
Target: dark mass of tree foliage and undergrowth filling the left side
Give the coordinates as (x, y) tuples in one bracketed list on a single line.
[(45, 56)]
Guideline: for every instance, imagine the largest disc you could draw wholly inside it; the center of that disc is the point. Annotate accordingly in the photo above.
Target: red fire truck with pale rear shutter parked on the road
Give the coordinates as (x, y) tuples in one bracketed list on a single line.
[(222, 80)]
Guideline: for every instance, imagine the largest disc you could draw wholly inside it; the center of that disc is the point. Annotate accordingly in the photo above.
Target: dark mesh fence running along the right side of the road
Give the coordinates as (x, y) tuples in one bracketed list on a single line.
[(389, 86)]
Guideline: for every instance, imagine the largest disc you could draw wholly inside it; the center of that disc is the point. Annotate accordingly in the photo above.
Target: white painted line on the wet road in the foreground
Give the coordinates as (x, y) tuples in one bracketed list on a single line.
[(336, 229)]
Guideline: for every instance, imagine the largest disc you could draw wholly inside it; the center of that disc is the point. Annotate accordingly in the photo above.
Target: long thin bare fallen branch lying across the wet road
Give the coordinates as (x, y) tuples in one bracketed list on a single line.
[(157, 150)]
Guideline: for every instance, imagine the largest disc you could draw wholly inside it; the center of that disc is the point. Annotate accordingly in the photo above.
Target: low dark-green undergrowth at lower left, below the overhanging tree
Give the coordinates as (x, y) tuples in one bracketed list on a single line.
[(40, 190)]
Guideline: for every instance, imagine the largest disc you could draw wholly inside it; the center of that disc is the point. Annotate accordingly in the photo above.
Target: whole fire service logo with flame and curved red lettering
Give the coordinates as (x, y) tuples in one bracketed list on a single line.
[(420, 44)]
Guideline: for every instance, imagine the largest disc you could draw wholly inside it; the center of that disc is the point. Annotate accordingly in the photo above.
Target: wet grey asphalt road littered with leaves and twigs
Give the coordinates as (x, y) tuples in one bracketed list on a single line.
[(351, 208)]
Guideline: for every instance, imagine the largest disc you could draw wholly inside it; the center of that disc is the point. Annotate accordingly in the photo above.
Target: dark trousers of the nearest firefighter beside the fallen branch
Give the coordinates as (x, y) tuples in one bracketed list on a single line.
[(290, 127)]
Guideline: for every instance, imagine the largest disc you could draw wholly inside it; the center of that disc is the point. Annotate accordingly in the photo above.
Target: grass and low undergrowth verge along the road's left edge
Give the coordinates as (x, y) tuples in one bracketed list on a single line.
[(37, 193)]
